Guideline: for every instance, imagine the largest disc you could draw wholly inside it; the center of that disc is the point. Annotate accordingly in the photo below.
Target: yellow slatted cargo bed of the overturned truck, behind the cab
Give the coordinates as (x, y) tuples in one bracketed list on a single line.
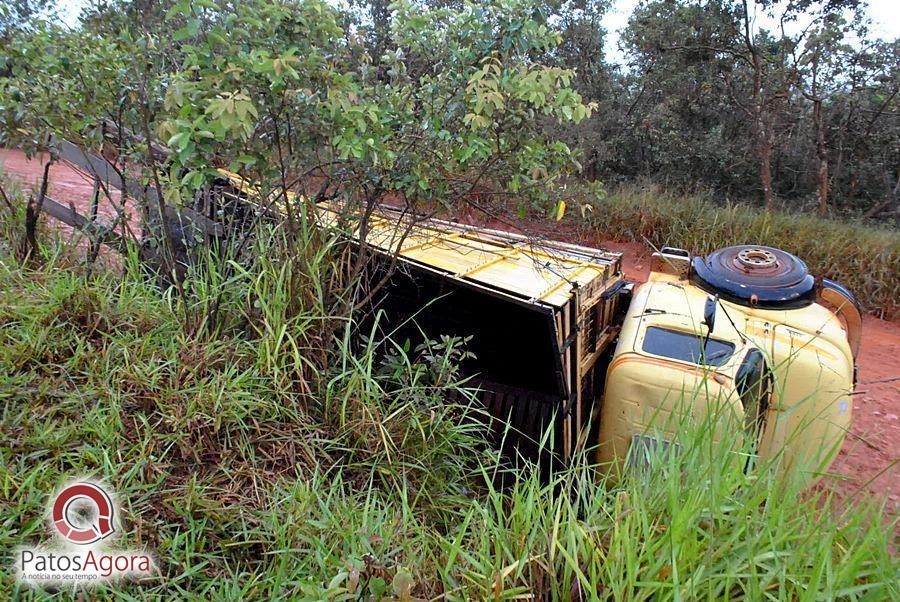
[(539, 316)]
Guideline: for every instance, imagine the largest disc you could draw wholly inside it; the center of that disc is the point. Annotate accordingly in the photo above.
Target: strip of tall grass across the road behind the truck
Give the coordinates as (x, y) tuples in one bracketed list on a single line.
[(861, 256)]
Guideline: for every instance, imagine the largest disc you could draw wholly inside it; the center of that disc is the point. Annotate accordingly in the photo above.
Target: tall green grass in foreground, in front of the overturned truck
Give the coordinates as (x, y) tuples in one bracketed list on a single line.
[(260, 460)]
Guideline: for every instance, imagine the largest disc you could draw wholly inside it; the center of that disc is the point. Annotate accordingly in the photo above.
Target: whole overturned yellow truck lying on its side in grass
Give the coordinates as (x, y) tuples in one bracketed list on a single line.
[(570, 356)]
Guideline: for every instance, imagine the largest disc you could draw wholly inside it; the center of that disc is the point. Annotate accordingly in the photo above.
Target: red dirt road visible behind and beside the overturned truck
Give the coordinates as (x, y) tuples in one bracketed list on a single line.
[(870, 457)]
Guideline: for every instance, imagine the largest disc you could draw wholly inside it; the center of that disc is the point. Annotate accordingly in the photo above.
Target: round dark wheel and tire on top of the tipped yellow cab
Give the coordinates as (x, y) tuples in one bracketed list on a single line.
[(756, 276)]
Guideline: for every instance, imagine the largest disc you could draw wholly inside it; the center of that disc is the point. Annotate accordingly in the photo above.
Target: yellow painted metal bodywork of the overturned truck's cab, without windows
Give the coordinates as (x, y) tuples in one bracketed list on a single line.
[(806, 348)]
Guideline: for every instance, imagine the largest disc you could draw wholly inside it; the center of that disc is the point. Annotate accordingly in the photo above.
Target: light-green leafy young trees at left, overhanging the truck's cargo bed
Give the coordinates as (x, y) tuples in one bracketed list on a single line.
[(283, 93)]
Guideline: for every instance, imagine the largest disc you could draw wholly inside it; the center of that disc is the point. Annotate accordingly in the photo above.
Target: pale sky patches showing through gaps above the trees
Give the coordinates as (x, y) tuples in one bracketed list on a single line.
[(885, 16)]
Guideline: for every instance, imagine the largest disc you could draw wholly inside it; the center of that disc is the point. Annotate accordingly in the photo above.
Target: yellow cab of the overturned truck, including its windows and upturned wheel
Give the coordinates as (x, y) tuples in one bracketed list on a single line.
[(745, 335)]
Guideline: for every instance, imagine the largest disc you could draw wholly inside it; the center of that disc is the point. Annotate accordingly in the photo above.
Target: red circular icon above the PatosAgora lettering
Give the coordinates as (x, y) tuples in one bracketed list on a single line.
[(90, 500)]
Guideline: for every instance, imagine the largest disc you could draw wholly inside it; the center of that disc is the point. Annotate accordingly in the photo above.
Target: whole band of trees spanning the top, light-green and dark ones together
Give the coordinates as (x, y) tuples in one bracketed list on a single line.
[(447, 101)]
